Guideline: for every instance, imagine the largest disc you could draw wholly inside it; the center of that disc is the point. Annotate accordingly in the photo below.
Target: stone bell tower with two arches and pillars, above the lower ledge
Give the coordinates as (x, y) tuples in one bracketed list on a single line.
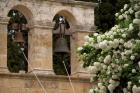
[(40, 14)]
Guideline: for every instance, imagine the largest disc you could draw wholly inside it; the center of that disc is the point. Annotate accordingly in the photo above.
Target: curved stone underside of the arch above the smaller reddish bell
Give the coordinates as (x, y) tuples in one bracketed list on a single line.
[(25, 11)]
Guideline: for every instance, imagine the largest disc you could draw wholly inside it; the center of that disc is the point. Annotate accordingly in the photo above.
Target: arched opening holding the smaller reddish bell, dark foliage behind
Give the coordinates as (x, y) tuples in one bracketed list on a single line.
[(17, 42)]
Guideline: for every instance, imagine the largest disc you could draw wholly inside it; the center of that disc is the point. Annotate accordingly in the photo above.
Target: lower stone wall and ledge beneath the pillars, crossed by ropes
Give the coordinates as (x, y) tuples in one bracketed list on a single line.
[(27, 83)]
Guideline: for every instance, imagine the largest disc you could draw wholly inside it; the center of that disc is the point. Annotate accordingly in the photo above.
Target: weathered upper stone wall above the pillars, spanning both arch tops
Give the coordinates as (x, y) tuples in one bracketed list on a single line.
[(77, 13)]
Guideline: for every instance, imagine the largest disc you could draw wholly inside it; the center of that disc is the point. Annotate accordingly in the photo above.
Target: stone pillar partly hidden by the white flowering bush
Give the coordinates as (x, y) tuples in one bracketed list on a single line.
[(76, 63)]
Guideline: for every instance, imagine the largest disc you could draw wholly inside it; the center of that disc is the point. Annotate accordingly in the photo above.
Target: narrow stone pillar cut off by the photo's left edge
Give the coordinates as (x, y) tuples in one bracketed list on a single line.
[(3, 44)]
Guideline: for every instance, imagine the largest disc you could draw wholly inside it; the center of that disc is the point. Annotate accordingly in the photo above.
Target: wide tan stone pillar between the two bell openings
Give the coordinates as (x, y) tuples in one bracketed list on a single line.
[(40, 49)]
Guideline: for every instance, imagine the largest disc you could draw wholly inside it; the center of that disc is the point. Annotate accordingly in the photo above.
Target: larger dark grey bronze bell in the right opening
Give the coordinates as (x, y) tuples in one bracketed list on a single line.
[(61, 46)]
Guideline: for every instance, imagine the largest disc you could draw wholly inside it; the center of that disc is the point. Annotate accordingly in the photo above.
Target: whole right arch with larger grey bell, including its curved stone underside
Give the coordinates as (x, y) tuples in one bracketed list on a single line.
[(64, 20)]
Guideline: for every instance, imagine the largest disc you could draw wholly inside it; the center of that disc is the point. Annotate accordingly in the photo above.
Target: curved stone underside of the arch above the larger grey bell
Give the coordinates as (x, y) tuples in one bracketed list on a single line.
[(69, 16)]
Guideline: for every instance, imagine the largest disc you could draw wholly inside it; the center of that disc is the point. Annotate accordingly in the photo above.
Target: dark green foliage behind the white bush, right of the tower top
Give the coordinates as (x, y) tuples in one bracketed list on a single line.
[(104, 13)]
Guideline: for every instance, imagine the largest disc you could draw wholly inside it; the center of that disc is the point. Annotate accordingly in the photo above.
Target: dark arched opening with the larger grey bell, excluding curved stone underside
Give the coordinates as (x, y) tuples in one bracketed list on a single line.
[(58, 58)]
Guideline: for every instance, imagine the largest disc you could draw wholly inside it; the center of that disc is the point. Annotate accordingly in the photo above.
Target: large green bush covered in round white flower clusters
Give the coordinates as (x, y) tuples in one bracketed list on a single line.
[(113, 58)]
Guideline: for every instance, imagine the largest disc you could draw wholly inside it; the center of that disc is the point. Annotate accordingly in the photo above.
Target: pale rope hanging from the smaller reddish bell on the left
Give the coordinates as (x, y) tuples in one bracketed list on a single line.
[(45, 91)]
